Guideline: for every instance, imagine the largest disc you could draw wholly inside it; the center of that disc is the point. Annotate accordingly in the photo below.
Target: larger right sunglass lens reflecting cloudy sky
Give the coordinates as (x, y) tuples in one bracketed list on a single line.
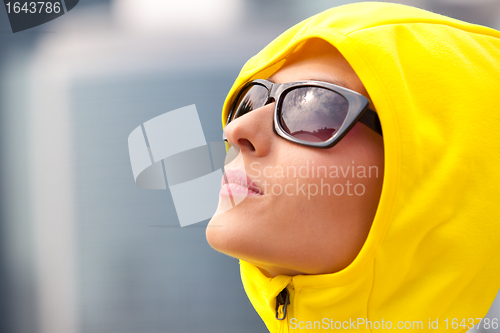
[(313, 114)]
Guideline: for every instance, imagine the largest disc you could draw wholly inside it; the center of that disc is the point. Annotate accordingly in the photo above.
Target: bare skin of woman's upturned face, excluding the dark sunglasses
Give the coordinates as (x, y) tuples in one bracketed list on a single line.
[(317, 205)]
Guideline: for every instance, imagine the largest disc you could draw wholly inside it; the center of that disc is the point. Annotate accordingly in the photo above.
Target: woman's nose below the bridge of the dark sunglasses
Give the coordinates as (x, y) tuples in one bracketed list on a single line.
[(253, 132)]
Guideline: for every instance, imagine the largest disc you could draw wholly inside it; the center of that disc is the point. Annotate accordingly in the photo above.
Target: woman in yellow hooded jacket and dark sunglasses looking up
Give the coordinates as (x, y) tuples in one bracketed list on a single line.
[(399, 231)]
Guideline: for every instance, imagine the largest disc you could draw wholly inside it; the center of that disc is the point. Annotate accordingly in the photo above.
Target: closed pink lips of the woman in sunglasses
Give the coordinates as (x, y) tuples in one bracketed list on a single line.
[(235, 182)]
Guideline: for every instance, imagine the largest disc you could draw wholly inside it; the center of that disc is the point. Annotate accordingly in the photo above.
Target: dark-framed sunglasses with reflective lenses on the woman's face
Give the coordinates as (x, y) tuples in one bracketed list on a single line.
[(310, 113)]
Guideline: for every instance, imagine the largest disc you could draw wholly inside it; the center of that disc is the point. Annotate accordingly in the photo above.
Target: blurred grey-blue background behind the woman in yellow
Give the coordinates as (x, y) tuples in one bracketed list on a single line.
[(82, 248)]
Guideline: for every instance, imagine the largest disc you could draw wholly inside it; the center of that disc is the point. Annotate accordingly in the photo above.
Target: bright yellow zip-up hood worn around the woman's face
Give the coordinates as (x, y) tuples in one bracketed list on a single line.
[(433, 249)]
